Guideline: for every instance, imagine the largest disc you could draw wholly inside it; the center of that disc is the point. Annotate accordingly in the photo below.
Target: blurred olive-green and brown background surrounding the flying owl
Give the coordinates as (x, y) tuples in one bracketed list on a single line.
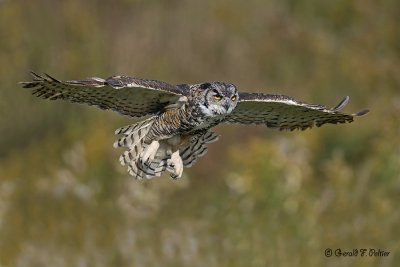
[(260, 197)]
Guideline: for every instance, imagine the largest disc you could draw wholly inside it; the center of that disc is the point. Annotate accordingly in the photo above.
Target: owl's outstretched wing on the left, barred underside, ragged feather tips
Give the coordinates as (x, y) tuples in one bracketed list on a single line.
[(127, 95)]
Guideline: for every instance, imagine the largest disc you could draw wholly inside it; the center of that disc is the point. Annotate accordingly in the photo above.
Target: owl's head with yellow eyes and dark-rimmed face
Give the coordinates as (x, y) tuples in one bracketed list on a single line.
[(216, 98)]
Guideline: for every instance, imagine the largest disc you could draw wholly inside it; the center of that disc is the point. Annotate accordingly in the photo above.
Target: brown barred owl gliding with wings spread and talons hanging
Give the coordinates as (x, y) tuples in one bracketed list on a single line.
[(176, 131)]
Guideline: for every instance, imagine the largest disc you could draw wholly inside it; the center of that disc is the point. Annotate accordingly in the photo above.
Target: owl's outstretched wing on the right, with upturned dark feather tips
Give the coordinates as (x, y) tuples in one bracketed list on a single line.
[(285, 113)]
